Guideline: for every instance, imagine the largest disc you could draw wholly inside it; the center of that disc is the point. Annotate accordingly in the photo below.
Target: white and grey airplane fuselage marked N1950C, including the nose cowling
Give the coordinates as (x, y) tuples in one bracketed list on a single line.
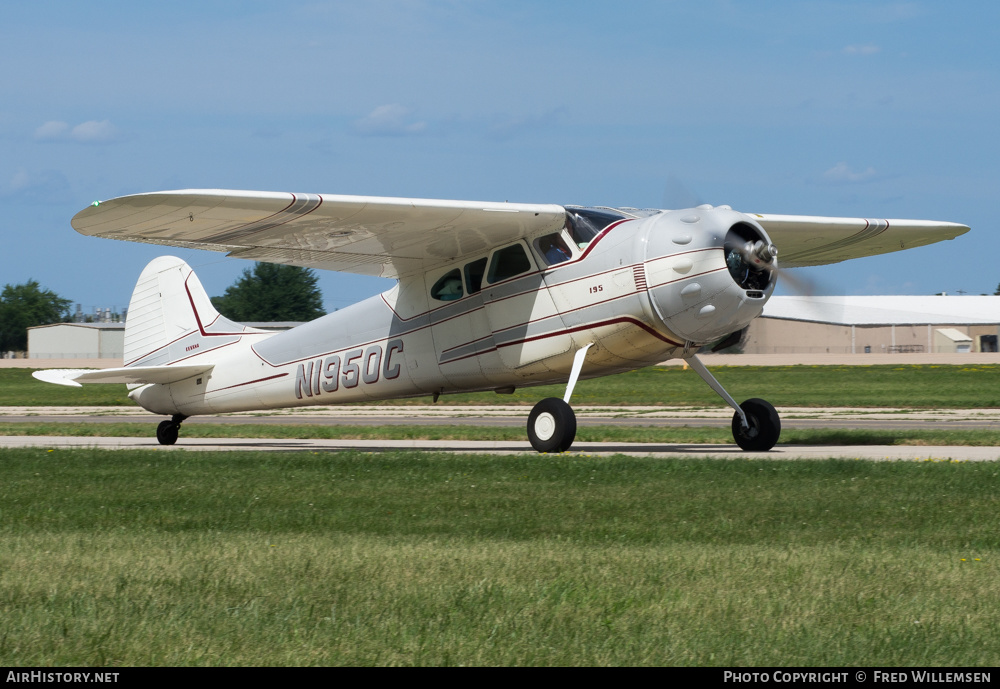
[(643, 290)]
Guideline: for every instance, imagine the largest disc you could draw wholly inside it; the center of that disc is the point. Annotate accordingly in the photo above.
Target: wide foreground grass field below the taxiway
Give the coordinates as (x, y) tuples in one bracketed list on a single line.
[(151, 558)]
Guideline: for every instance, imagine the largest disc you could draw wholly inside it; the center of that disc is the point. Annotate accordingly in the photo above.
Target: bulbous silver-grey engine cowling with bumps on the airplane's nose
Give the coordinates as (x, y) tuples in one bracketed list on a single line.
[(709, 271)]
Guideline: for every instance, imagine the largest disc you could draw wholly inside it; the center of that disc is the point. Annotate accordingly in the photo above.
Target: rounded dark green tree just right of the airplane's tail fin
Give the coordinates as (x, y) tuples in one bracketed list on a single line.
[(272, 292)]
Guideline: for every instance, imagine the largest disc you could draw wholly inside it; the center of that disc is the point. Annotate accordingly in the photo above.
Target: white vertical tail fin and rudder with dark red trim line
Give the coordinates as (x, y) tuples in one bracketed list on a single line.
[(171, 319)]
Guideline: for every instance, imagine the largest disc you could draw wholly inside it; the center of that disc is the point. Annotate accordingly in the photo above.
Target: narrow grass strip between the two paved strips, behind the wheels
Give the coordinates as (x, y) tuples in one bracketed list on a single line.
[(624, 434)]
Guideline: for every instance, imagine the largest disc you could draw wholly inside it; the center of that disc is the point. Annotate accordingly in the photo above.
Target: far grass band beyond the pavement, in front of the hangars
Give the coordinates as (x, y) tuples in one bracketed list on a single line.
[(861, 386)]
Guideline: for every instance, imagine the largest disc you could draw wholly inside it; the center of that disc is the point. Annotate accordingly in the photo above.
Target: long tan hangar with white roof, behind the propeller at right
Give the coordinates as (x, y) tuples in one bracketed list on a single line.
[(890, 324)]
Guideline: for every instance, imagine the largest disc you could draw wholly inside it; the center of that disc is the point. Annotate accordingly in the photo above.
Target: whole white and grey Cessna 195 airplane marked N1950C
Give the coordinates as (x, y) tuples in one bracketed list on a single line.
[(490, 296)]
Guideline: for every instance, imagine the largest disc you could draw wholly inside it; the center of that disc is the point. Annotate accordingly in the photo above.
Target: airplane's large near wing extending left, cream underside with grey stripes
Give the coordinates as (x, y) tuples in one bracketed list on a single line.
[(387, 237)]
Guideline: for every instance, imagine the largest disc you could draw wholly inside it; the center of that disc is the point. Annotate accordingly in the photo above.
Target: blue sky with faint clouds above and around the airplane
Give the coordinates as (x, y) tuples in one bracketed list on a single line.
[(871, 109)]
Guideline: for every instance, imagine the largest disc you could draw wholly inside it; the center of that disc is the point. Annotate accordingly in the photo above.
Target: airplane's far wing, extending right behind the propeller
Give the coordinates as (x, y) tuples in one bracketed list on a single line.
[(812, 241)]
